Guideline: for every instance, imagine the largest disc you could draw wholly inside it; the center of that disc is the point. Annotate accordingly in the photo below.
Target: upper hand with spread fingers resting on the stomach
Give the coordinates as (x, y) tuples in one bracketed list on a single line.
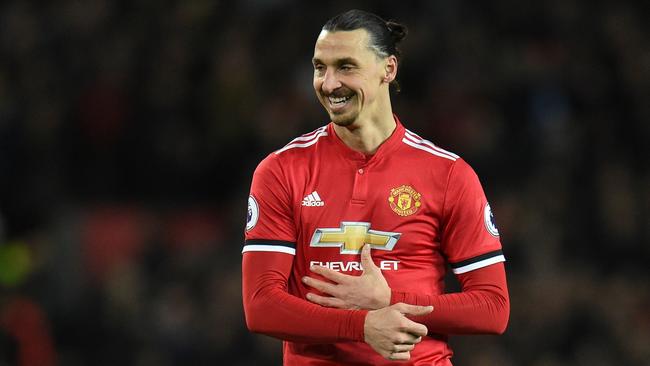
[(368, 291)]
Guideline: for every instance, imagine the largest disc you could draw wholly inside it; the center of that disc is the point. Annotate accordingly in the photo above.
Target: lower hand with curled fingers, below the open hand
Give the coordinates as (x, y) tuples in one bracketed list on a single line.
[(389, 332)]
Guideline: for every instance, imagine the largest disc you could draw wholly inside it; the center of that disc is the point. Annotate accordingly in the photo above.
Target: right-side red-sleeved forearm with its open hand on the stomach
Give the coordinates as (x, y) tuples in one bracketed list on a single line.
[(483, 306)]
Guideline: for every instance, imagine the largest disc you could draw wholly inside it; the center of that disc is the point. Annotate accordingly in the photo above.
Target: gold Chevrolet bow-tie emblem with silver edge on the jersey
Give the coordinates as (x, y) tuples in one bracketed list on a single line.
[(351, 237)]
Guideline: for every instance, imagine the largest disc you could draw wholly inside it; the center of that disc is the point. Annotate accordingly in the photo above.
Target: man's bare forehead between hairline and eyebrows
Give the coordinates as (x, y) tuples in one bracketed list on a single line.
[(342, 44)]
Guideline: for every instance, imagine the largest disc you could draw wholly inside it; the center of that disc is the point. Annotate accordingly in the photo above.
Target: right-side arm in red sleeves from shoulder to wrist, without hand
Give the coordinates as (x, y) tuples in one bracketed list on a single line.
[(470, 241)]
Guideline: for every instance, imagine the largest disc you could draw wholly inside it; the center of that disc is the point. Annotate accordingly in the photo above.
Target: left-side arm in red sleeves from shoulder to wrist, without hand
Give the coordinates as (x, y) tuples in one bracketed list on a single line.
[(268, 307)]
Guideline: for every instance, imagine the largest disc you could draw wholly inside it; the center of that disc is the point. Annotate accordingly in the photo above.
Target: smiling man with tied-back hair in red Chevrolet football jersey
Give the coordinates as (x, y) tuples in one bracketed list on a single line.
[(321, 204)]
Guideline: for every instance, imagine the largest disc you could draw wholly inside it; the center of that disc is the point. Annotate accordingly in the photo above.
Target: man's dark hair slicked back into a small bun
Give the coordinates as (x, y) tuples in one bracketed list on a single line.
[(385, 36)]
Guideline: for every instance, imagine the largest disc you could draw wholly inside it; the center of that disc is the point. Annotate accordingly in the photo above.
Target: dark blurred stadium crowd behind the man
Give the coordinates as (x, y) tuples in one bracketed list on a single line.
[(129, 131)]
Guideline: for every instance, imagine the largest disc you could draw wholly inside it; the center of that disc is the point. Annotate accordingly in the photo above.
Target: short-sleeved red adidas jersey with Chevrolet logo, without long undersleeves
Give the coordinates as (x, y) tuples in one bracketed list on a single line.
[(419, 206)]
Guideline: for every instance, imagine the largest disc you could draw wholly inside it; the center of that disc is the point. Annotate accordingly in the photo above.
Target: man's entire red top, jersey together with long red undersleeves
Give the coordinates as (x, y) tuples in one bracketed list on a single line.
[(421, 208)]
